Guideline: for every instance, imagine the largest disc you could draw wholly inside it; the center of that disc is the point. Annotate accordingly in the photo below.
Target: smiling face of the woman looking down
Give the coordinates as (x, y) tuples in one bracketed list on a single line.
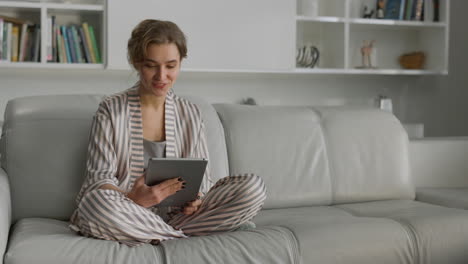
[(159, 71)]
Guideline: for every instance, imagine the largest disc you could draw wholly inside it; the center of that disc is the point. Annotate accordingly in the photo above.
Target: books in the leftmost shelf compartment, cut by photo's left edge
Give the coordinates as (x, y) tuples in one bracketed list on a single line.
[(19, 40)]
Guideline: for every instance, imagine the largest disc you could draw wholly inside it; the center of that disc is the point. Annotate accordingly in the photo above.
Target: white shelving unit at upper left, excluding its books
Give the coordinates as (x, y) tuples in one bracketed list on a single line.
[(65, 13)]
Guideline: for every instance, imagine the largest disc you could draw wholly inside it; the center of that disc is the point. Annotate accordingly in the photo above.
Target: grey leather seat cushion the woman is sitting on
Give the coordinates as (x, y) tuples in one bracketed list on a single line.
[(48, 241)]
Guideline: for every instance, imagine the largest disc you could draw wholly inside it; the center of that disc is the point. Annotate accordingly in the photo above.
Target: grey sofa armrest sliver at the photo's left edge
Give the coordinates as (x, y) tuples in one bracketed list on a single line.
[(5, 212)]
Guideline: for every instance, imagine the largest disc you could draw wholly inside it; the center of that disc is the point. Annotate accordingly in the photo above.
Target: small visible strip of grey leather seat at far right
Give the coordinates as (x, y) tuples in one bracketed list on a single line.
[(449, 197)]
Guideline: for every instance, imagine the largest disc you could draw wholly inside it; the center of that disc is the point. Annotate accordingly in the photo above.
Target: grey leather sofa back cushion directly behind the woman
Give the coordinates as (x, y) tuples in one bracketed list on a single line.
[(44, 147)]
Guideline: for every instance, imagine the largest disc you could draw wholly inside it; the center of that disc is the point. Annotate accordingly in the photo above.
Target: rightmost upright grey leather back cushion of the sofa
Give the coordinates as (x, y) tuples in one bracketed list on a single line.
[(368, 154)]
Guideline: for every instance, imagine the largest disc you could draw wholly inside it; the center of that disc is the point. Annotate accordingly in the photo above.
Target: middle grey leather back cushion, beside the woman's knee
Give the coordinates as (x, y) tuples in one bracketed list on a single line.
[(283, 145)]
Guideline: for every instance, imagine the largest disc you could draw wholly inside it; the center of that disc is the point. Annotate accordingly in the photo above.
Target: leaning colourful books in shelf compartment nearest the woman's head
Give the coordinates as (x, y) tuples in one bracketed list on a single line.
[(71, 44)]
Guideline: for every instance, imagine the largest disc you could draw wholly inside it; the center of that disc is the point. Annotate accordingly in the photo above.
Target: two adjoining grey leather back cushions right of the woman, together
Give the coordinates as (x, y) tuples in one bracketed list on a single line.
[(319, 155)]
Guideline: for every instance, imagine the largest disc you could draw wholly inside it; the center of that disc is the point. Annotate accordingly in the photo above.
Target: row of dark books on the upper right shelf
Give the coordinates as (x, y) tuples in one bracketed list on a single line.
[(416, 10)]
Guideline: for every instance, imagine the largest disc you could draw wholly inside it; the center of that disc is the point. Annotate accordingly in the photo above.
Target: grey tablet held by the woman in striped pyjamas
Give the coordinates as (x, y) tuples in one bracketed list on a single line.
[(191, 170)]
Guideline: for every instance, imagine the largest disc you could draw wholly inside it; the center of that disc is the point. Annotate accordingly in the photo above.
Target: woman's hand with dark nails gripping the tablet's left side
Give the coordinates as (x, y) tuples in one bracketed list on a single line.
[(148, 196)]
